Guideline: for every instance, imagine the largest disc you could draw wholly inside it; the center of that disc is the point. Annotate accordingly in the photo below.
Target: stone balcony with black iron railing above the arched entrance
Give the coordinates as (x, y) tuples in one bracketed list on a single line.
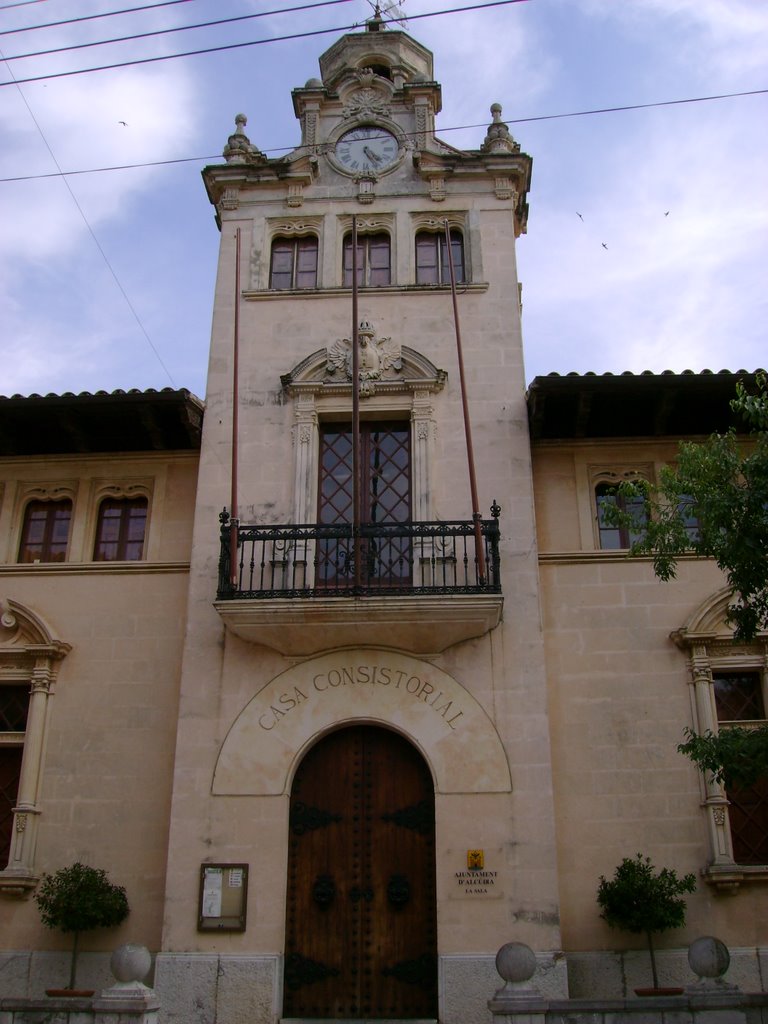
[(411, 586)]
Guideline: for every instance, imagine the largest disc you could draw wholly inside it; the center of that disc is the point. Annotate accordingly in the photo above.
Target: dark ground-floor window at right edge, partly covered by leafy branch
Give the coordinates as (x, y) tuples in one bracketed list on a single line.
[(739, 699)]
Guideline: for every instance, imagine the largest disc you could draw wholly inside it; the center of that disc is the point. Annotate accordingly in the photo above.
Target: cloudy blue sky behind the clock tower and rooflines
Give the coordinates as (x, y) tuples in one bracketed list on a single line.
[(648, 240)]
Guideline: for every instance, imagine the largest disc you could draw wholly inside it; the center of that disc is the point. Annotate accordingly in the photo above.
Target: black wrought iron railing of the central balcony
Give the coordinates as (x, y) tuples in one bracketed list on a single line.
[(319, 561)]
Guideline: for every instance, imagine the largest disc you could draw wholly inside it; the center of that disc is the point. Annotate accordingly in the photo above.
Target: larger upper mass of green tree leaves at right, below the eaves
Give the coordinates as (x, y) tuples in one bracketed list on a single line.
[(726, 488)]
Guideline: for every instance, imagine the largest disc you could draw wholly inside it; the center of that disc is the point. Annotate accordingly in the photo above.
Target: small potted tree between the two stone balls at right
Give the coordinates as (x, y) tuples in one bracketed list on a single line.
[(642, 901)]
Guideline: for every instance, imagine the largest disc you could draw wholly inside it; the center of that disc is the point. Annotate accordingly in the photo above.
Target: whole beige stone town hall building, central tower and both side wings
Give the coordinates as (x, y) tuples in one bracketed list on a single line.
[(342, 743)]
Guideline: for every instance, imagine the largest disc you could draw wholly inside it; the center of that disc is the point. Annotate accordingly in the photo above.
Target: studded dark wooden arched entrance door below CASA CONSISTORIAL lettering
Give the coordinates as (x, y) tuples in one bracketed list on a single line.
[(361, 931)]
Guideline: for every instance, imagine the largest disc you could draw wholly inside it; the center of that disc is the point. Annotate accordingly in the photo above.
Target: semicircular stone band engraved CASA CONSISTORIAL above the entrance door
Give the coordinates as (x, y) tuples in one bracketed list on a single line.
[(368, 686)]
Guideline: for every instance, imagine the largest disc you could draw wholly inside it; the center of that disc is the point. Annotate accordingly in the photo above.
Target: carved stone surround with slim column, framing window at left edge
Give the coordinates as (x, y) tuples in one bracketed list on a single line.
[(29, 658)]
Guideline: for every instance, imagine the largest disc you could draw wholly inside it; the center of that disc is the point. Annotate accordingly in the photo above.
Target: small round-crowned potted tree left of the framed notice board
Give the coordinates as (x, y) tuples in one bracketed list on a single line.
[(78, 900)]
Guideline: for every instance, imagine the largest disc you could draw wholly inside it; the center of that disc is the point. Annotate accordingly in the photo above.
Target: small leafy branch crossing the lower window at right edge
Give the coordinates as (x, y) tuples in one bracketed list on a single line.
[(736, 757)]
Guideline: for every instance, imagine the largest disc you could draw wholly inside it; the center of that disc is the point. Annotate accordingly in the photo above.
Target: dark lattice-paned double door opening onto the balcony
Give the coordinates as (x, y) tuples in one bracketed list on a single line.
[(386, 500)]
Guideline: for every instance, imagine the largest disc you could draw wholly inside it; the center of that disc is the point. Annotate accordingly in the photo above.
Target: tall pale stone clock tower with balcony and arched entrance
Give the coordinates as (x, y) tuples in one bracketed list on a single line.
[(363, 774)]
